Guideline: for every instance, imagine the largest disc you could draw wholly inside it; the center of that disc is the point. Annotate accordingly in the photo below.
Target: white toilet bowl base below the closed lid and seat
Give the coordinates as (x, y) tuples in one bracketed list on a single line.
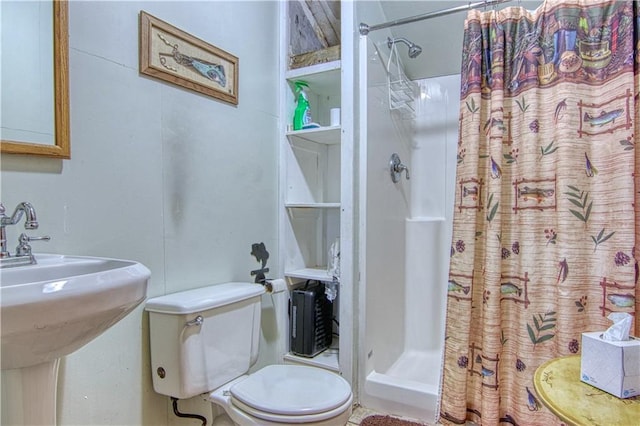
[(222, 398)]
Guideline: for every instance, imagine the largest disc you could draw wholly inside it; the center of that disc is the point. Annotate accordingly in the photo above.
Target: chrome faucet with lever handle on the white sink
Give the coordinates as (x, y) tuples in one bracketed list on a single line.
[(23, 251)]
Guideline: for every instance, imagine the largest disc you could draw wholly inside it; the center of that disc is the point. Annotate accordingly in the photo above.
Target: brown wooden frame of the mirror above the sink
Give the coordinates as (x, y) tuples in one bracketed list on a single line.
[(62, 147)]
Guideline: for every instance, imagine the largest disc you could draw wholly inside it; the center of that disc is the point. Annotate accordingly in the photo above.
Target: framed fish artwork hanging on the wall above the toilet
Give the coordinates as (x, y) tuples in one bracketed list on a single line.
[(172, 55)]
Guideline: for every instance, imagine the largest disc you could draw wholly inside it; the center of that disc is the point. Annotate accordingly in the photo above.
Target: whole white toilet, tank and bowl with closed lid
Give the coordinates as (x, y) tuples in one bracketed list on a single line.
[(204, 341)]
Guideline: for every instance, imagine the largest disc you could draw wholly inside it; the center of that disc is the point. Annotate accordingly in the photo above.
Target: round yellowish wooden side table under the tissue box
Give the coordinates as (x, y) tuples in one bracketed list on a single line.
[(557, 383)]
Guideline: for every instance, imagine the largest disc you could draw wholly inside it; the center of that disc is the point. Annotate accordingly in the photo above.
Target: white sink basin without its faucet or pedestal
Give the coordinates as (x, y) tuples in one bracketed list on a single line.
[(57, 306)]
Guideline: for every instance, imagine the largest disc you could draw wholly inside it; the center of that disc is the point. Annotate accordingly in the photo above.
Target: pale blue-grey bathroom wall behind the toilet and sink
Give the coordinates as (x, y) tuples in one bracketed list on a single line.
[(179, 181)]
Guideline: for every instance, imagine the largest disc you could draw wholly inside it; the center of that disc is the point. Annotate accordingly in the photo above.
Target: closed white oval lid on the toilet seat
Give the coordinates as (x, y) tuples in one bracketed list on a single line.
[(292, 390)]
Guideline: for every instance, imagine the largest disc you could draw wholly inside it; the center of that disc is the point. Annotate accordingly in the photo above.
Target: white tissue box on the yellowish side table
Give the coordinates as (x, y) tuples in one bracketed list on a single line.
[(613, 367)]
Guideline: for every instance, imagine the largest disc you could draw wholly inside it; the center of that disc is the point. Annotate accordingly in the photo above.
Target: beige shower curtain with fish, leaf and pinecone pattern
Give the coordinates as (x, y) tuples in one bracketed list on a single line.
[(547, 201)]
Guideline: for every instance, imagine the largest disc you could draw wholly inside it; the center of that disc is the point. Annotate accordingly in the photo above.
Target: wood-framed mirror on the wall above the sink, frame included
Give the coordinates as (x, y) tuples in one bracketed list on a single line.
[(58, 145)]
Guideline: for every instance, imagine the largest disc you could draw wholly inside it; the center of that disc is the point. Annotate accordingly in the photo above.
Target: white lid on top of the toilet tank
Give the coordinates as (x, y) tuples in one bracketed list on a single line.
[(201, 299)]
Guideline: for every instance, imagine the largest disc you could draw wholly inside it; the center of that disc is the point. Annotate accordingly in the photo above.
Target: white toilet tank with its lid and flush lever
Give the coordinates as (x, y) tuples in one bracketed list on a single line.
[(203, 338)]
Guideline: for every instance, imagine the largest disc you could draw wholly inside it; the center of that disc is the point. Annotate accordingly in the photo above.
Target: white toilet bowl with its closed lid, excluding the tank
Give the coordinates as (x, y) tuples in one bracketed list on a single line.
[(286, 394)]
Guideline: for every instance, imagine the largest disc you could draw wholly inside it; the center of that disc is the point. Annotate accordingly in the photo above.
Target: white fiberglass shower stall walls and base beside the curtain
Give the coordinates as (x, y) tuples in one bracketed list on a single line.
[(405, 233)]
